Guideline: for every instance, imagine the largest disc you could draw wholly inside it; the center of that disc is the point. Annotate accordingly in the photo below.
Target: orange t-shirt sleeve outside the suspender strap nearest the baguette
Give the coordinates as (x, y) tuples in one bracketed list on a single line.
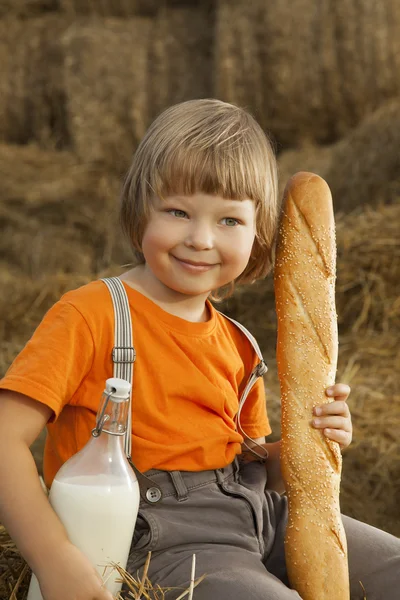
[(254, 419)]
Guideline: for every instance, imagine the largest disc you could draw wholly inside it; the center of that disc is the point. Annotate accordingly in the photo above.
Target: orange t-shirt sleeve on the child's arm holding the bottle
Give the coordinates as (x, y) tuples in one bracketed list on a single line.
[(55, 360)]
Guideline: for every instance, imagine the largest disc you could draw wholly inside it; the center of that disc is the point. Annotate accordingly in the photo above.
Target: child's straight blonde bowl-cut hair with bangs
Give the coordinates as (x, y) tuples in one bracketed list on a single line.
[(206, 146)]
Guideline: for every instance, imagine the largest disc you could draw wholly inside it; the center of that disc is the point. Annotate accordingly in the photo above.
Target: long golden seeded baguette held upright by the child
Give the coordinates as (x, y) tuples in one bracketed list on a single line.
[(307, 351)]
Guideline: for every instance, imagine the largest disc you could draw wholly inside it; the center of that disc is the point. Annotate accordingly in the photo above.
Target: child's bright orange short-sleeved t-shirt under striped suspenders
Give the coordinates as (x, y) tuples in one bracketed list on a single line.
[(186, 384)]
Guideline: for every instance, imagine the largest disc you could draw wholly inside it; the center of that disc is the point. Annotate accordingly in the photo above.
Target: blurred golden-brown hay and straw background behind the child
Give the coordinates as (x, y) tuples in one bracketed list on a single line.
[(80, 81)]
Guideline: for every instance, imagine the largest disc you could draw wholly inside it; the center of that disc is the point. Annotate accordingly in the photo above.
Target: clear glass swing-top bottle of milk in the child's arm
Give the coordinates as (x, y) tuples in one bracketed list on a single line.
[(96, 494)]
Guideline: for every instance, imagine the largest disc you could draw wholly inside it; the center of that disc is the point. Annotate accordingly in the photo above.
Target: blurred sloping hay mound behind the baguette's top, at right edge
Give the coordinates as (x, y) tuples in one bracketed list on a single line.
[(362, 168)]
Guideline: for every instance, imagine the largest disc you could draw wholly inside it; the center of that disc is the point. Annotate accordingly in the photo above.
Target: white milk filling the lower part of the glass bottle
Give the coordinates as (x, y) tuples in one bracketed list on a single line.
[(86, 505)]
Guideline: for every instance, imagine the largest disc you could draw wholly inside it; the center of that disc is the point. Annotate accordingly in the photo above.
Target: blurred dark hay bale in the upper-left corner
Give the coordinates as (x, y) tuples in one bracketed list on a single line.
[(32, 104)]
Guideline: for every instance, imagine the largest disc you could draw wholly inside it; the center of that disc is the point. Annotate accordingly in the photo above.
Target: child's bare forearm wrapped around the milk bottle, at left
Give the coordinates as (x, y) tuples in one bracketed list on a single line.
[(24, 508)]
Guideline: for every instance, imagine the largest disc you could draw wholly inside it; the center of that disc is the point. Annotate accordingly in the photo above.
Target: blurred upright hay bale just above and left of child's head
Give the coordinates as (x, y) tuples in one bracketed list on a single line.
[(106, 70)]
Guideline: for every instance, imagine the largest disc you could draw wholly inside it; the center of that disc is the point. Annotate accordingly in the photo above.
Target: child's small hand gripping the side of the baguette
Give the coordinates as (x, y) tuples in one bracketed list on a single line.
[(334, 417)]
